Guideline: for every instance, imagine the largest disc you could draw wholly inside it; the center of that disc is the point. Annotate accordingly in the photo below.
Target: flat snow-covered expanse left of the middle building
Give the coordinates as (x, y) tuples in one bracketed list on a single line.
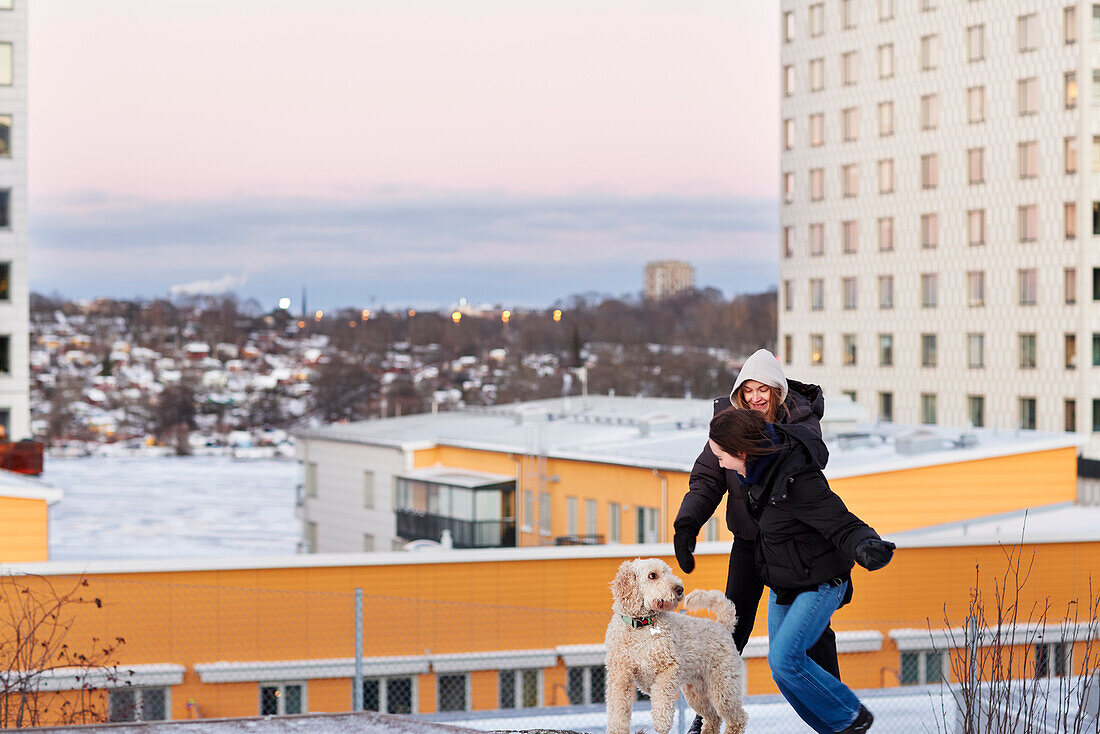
[(138, 508)]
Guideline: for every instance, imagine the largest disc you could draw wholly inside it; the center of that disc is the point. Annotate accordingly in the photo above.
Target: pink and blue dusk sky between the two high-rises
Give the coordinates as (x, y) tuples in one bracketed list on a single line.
[(399, 155)]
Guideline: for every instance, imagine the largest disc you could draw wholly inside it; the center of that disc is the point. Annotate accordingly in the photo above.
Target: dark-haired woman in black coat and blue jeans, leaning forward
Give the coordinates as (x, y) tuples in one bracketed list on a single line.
[(806, 549)]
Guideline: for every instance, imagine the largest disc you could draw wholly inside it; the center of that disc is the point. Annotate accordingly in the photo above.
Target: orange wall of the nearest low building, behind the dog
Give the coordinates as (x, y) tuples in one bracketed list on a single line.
[(288, 615)]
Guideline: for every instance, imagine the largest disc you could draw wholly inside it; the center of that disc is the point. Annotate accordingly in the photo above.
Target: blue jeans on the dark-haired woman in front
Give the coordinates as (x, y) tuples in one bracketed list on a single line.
[(820, 699)]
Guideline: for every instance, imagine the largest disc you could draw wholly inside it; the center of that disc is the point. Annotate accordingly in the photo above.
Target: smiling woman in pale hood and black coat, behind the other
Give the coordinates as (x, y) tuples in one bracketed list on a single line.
[(761, 387)]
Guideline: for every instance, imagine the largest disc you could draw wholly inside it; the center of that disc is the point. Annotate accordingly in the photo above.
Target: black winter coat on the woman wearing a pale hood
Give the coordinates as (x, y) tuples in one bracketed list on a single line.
[(804, 408)]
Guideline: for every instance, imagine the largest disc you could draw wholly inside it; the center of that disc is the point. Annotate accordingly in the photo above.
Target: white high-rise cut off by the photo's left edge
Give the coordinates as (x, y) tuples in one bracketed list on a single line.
[(15, 311)]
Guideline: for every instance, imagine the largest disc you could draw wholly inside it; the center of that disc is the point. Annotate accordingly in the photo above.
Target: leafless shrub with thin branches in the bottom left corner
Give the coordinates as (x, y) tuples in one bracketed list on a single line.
[(36, 628)]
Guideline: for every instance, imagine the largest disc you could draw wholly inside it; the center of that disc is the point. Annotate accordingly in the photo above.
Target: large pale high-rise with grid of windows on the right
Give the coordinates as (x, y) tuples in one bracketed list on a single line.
[(940, 245)]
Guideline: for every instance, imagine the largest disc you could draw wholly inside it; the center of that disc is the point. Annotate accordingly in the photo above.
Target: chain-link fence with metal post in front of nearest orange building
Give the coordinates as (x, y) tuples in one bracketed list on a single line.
[(112, 649)]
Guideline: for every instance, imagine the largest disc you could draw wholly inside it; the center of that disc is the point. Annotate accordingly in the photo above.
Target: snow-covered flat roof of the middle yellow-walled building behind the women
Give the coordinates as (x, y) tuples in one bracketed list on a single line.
[(668, 434)]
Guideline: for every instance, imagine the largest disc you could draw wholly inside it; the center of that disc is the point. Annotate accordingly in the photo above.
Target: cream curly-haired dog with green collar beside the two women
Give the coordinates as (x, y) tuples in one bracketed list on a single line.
[(652, 648)]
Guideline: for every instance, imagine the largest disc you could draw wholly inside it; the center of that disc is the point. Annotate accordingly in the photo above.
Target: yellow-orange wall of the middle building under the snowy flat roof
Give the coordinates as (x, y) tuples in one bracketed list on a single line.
[(888, 501)]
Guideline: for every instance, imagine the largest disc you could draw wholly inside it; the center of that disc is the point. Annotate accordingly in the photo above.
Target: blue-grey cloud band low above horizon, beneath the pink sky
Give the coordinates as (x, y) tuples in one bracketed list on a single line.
[(427, 248)]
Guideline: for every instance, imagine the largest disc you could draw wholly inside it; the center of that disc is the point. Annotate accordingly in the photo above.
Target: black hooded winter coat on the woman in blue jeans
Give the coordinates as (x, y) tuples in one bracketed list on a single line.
[(808, 536)]
